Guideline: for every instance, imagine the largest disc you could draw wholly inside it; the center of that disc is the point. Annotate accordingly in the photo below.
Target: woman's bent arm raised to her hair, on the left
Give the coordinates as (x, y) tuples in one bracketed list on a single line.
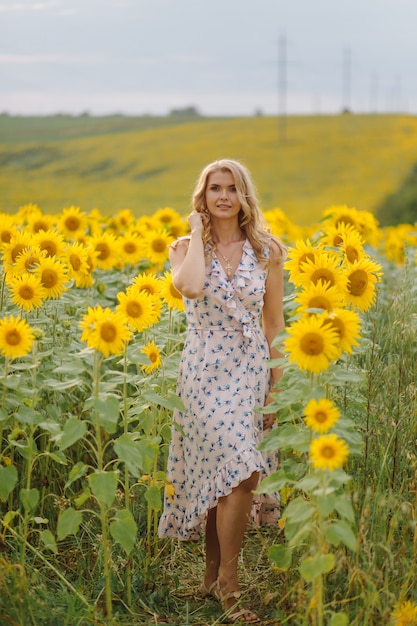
[(188, 261)]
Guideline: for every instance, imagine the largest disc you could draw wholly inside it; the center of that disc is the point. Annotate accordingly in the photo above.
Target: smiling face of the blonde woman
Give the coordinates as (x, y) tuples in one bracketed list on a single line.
[(221, 195)]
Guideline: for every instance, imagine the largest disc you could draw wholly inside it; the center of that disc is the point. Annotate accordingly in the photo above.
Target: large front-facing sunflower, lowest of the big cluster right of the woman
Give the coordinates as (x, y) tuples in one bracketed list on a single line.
[(311, 343)]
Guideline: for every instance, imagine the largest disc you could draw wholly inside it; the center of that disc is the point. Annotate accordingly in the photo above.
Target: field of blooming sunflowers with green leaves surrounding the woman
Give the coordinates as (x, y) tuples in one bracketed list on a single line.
[(91, 332)]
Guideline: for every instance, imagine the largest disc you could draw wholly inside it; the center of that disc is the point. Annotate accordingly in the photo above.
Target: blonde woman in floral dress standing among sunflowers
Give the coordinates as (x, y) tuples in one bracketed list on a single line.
[(229, 272)]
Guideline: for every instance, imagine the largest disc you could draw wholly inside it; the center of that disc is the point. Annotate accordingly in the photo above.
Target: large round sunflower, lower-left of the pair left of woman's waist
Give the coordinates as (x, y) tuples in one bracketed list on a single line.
[(105, 330)]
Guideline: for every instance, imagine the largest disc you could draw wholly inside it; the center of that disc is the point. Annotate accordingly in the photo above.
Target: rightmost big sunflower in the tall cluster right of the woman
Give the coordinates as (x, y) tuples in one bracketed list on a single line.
[(361, 277)]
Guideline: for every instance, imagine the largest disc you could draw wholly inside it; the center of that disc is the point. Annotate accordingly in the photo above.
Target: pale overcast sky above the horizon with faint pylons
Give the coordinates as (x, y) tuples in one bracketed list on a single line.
[(225, 57)]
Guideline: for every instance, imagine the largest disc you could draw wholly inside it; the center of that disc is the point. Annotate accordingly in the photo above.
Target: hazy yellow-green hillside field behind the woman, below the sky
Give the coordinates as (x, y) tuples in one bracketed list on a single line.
[(146, 163)]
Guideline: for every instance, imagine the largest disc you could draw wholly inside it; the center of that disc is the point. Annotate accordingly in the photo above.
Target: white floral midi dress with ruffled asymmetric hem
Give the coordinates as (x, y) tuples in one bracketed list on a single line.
[(223, 379)]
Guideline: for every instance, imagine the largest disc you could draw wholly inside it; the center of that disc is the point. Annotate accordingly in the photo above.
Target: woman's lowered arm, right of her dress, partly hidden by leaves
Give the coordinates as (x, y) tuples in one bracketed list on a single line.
[(273, 315)]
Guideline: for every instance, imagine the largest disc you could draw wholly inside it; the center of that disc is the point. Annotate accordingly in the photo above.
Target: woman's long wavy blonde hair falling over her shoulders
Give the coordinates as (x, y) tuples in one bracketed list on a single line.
[(250, 217)]
